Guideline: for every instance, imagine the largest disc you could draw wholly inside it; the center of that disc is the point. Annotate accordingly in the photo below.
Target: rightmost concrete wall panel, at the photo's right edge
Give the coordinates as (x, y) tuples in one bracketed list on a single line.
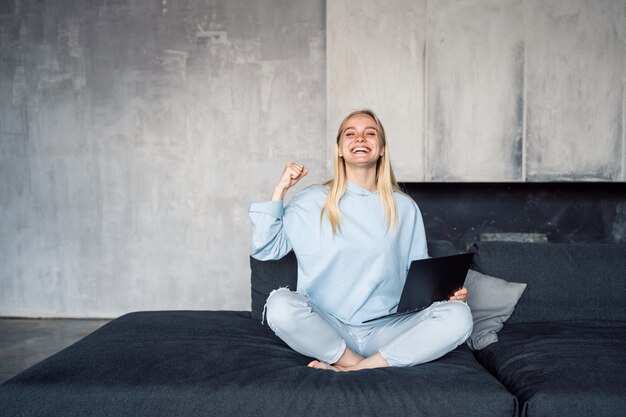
[(575, 65)]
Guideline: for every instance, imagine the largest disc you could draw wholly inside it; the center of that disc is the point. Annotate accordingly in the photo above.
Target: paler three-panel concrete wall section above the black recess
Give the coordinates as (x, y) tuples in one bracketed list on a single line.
[(497, 90)]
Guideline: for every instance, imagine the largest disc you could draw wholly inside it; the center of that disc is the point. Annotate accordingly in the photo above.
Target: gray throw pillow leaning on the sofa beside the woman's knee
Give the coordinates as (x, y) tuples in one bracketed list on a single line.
[(492, 301)]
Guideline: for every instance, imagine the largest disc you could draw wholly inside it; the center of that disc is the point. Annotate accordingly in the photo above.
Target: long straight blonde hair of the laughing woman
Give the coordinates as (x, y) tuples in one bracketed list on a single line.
[(386, 182)]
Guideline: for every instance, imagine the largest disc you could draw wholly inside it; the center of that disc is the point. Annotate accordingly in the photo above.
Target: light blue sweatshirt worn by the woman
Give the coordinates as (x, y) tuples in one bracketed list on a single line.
[(355, 275)]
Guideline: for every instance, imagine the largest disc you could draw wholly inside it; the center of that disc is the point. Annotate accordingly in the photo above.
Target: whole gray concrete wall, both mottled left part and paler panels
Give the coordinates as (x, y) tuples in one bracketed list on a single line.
[(134, 134)]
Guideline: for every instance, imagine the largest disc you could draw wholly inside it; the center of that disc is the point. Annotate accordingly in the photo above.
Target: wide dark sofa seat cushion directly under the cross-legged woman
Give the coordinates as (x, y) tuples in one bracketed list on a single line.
[(213, 363)]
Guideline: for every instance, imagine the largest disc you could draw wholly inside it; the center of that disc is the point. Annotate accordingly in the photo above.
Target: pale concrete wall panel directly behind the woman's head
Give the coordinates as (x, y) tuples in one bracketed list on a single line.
[(376, 52)]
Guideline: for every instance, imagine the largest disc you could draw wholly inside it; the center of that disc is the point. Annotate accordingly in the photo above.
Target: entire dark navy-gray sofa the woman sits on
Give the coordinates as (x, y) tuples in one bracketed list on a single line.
[(561, 353)]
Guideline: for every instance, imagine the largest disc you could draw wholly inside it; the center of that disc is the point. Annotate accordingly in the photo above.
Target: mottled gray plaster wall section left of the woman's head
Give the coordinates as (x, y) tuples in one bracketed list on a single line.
[(133, 136)]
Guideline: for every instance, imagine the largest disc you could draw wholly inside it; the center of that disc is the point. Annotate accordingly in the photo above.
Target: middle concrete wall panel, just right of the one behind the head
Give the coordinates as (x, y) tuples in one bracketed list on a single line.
[(475, 90)]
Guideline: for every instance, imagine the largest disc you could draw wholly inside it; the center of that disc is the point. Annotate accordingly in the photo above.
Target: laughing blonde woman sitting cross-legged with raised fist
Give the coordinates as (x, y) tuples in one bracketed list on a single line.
[(354, 238)]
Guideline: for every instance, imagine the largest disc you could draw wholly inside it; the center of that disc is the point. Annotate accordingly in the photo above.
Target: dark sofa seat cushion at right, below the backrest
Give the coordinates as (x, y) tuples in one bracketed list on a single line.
[(572, 368)]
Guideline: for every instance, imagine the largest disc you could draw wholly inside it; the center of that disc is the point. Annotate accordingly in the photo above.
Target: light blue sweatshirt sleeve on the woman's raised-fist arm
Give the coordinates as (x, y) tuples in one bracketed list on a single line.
[(269, 239)]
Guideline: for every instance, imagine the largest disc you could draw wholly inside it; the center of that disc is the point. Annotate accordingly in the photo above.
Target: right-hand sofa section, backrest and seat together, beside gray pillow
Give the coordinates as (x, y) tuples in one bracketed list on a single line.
[(563, 351)]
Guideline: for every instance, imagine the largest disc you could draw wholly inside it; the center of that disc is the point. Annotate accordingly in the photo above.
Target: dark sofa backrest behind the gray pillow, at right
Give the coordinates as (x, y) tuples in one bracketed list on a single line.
[(565, 281)]
